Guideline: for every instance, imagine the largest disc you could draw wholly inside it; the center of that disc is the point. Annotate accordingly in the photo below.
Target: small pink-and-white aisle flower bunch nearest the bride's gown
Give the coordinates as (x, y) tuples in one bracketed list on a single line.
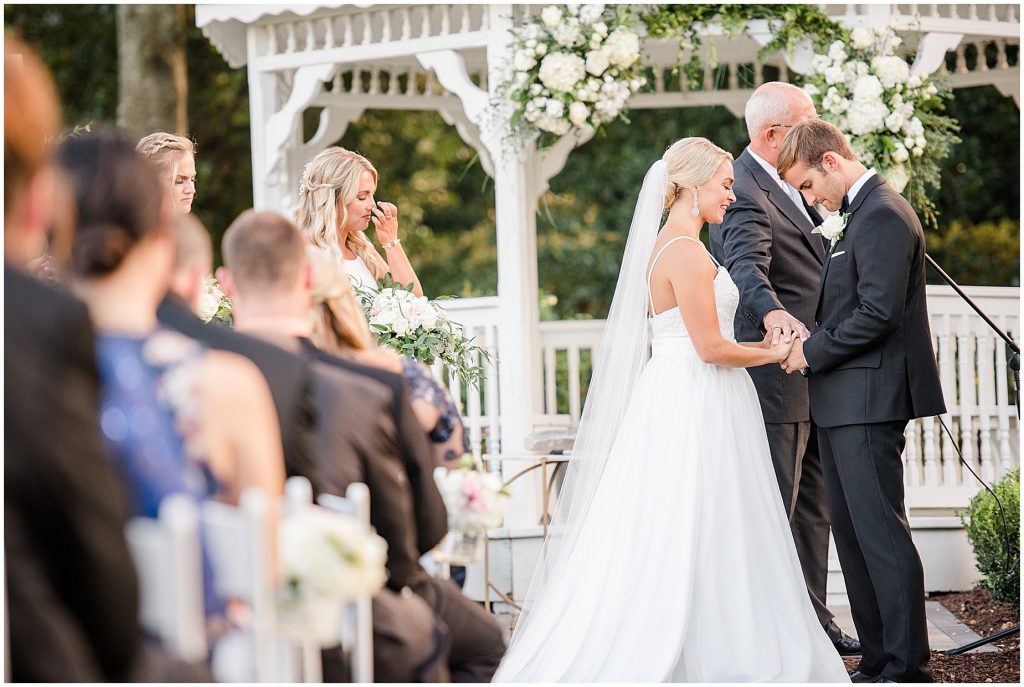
[(476, 500)]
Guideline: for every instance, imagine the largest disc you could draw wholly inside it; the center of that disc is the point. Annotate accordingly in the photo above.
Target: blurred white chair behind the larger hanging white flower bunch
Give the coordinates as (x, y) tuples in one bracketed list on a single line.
[(358, 630)]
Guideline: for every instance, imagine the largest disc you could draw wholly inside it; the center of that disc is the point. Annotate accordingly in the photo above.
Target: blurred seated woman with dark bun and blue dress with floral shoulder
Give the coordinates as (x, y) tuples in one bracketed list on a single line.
[(176, 417)]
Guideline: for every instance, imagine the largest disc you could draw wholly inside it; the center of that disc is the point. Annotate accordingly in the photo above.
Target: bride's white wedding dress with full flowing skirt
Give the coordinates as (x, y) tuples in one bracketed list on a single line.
[(684, 569)]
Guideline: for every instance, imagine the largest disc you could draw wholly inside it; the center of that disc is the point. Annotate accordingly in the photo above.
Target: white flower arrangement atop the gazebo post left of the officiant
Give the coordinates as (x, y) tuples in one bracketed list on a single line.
[(573, 66)]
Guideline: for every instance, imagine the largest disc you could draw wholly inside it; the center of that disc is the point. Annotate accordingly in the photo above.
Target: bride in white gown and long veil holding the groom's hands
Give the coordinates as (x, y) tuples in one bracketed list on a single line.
[(671, 559)]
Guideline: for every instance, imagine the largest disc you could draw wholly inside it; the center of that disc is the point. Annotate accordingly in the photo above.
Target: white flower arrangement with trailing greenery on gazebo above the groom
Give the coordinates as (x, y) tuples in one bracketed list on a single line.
[(893, 119)]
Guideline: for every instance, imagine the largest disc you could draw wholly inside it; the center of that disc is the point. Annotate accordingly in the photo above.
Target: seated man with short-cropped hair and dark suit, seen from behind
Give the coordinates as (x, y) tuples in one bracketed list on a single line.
[(268, 275)]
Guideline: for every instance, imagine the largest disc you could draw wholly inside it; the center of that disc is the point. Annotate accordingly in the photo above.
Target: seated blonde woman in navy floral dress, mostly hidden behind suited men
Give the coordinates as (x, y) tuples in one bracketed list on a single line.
[(340, 328)]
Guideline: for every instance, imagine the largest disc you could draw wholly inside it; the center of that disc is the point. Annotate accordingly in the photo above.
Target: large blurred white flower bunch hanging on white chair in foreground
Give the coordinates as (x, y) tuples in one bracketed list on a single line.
[(326, 561)]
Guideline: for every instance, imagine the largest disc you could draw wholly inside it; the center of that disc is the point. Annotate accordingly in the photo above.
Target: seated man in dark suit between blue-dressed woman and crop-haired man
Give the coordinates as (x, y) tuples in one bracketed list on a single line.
[(287, 375)]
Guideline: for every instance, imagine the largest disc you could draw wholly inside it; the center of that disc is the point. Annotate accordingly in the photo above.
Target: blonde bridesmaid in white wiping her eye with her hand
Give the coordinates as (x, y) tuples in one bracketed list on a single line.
[(336, 205)]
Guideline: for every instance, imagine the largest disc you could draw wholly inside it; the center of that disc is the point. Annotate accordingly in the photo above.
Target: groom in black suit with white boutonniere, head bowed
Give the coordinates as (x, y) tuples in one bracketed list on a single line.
[(871, 369)]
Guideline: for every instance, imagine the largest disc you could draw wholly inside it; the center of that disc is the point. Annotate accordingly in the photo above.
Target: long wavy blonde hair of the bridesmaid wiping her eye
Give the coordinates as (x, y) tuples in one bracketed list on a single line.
[(330, 183)]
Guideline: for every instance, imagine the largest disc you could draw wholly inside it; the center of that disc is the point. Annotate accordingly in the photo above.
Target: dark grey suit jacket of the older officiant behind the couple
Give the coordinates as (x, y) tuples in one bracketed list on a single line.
[(767, 246)]
